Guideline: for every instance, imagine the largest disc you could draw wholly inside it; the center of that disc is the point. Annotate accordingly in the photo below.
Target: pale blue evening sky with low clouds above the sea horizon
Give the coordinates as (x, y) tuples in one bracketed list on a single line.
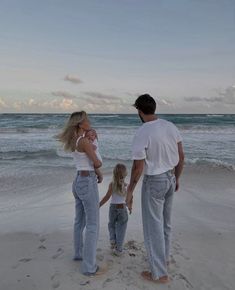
[(59, 56)]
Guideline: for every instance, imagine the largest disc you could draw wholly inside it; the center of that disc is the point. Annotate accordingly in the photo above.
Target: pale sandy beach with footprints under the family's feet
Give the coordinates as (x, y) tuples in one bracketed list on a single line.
[(36, 228)]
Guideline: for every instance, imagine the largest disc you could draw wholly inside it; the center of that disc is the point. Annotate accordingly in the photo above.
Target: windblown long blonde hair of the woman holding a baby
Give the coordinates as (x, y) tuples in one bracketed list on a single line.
[(68, 135)]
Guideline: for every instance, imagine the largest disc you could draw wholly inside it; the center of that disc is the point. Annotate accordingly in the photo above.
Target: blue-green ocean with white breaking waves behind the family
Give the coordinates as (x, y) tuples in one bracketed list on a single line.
[(27, 140)]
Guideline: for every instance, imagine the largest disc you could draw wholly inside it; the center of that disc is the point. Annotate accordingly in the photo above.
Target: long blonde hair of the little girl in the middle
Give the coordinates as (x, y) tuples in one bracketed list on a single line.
[(119, 174)]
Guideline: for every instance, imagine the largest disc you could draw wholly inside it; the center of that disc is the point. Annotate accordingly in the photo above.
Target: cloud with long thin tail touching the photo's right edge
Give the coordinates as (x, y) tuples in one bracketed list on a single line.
[(226, 97)]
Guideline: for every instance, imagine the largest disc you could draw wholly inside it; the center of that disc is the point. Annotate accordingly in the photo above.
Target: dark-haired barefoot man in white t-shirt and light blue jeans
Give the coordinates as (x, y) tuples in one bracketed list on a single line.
[(157, 149)]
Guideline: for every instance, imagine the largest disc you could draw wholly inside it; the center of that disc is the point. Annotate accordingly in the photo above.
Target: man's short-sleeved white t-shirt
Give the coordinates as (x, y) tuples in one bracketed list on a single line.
[(157, 142)]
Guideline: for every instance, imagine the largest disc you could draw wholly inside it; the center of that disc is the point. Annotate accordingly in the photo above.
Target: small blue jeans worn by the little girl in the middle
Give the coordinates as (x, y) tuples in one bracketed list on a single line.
[(118, 218)]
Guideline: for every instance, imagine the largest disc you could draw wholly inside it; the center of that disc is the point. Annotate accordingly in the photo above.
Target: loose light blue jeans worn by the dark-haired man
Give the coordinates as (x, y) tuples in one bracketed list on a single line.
[(157, 198)]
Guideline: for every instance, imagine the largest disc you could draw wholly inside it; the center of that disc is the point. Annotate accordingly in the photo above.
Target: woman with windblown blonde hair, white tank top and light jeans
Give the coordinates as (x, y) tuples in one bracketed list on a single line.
[(85, 190)]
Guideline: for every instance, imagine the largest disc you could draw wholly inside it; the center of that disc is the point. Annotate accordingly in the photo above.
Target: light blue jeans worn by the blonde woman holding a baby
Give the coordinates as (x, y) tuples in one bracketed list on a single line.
[(86, 195)]
